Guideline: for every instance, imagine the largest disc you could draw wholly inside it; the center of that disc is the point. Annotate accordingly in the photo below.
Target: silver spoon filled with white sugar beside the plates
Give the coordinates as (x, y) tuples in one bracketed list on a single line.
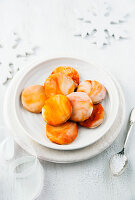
[(119, 161)]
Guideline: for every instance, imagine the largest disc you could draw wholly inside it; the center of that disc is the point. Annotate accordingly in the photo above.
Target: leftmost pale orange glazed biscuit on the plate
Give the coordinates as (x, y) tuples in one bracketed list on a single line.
[(33, 98)]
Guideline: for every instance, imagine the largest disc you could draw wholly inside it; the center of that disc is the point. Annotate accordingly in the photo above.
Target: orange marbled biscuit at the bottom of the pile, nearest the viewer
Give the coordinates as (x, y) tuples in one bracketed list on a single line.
[(63, 134)]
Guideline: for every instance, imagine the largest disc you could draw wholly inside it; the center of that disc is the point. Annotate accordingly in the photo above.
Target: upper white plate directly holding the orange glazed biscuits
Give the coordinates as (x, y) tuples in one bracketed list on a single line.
[(33, 124)]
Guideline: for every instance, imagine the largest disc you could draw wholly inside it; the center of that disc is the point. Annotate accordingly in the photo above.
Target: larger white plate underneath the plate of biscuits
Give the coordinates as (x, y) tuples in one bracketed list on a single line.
[(57, 156)]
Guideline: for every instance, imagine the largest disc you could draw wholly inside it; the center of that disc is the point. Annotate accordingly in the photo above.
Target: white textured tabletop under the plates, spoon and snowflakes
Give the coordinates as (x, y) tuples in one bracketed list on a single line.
[(50, 24)]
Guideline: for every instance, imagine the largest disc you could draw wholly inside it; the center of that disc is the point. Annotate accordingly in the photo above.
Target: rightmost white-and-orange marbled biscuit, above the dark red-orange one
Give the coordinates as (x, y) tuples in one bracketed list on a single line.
[(95, 90)]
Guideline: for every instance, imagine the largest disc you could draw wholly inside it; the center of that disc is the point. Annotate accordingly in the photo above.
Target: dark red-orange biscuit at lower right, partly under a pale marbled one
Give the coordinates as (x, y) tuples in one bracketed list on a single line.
[(96, 118)]
